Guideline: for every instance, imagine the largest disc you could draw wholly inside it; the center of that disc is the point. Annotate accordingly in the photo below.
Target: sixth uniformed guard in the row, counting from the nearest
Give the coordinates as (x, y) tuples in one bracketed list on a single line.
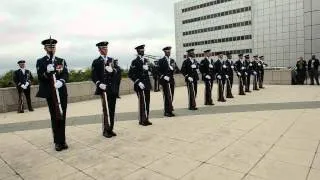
[(207, 71)]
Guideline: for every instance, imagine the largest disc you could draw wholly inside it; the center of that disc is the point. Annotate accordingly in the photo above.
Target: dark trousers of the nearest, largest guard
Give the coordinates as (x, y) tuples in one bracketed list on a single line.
[(58, 125)]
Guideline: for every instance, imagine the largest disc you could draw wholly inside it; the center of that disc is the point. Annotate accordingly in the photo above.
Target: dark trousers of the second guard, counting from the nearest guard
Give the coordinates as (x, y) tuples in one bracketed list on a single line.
[(108, 112)]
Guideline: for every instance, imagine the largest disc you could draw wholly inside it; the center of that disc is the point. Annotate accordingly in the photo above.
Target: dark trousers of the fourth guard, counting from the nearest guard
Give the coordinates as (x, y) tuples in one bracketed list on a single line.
[(168, 93)]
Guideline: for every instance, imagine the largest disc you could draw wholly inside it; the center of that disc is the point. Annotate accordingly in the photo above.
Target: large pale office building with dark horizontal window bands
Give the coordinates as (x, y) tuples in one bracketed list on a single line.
[(281, 30)]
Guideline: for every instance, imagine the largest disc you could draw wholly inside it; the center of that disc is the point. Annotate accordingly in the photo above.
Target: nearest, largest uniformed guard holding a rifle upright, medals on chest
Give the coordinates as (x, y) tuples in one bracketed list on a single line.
[(53, 74)]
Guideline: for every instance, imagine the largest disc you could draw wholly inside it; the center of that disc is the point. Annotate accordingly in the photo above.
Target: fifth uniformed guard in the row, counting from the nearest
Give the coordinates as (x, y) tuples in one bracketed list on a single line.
[(189, 71)]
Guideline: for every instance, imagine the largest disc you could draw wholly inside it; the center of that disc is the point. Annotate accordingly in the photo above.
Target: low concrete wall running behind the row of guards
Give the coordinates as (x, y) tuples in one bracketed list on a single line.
[(83, 91)]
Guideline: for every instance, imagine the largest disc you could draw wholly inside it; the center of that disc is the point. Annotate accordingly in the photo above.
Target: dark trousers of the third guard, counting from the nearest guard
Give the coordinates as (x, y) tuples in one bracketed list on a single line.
[(144, 103)]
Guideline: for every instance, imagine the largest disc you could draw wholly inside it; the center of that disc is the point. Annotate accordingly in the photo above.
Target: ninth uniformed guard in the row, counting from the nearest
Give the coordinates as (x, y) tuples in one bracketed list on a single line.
[(240, 70)]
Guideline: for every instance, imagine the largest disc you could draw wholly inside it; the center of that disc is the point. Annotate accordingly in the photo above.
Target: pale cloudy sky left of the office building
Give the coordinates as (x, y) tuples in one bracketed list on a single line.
[(79, 24)]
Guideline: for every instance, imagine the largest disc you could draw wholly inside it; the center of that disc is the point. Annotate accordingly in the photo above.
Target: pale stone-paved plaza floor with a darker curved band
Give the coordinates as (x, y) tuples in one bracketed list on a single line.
[(271, 134)]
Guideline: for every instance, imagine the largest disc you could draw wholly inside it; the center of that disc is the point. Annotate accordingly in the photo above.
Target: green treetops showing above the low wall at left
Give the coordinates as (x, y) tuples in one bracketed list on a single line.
[(6, 80)]
